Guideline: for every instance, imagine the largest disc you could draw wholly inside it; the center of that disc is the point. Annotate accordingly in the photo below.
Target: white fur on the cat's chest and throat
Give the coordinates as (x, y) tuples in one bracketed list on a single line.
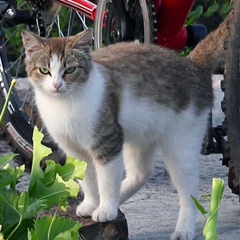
[(71, 121)]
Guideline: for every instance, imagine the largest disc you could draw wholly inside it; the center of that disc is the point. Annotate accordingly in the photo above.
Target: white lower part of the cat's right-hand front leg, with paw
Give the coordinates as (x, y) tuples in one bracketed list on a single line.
[(109, 176)]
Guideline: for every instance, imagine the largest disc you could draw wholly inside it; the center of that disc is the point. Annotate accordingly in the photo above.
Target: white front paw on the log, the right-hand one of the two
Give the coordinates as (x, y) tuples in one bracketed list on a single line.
[(104, 215)]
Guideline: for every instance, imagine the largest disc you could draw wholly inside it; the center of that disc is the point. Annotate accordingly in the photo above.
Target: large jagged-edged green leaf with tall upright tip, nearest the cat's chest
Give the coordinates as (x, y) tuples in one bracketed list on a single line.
[(56, 183)]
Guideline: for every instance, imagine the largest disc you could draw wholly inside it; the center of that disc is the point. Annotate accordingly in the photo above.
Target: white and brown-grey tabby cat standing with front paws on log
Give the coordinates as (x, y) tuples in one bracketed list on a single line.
[(115, 106)]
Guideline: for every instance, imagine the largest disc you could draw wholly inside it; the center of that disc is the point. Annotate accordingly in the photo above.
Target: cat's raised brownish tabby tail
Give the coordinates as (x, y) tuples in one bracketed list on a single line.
[(210, 51)]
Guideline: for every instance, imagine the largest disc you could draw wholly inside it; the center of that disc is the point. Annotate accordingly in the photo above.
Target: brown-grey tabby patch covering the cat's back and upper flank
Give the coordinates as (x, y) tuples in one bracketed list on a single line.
[(151, 70)]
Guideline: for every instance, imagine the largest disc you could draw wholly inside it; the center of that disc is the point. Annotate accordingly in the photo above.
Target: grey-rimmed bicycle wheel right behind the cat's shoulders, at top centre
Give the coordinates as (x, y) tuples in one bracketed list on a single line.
[(122, 20)]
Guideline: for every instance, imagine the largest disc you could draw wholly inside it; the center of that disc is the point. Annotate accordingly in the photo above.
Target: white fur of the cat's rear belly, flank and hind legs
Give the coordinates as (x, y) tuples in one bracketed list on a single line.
[(148, 126)]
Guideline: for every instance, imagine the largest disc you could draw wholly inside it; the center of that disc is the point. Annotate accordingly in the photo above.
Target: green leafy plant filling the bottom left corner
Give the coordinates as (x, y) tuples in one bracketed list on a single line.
[(52, 187)]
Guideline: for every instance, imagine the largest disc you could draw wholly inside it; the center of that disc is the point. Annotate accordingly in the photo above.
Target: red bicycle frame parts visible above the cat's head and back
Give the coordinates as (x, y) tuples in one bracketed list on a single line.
[(171, 16)]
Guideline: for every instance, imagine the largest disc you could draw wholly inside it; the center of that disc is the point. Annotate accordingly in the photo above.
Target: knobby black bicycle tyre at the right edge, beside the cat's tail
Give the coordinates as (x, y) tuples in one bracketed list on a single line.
[(231, 102)]
